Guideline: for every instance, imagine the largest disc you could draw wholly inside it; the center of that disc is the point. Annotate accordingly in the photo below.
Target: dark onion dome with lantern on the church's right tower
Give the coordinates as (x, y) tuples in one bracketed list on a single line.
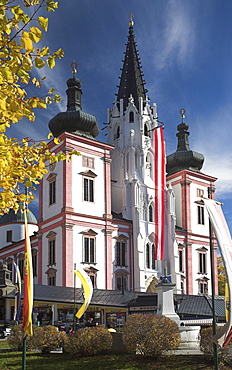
[(183, 158)]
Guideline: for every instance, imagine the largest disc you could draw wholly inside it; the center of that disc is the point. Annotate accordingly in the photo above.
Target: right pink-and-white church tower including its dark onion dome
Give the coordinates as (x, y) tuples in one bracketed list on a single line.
[(189, 184)]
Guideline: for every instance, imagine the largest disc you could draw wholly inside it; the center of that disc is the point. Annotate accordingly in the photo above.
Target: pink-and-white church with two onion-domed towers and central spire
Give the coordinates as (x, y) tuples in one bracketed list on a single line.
[(96, 212)]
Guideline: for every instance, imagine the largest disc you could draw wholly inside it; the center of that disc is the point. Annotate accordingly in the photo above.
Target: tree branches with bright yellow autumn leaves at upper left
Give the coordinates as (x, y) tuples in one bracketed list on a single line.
[(22, 162)]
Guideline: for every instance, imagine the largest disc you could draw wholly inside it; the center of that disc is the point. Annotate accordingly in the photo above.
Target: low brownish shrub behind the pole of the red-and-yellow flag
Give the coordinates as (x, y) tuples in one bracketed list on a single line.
[(44, 339)]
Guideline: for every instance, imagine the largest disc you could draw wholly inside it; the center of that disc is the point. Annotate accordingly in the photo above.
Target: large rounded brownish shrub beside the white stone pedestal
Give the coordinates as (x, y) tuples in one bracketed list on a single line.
[(150, 335)]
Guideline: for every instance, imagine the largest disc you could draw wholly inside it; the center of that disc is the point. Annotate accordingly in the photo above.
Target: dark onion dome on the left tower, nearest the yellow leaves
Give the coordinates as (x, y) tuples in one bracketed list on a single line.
[(74, 120)]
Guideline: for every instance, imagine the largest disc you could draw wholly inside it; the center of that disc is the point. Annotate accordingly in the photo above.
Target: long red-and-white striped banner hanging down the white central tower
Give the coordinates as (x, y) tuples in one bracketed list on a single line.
[(160, 181)]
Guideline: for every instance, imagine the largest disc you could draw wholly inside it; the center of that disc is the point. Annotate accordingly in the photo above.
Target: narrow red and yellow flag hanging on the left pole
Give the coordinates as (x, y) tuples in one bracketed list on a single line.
[(28, 284)]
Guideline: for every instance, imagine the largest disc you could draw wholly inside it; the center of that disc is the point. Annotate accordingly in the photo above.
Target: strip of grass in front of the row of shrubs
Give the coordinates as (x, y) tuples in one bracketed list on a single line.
[(10, 360)]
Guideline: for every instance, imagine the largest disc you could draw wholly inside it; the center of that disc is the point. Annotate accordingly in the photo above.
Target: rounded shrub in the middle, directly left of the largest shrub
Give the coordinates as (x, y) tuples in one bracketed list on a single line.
[(88, 341)]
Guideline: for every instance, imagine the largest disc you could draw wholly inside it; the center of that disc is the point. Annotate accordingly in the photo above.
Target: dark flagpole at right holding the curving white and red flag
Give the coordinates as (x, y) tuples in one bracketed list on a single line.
[(213, 288)]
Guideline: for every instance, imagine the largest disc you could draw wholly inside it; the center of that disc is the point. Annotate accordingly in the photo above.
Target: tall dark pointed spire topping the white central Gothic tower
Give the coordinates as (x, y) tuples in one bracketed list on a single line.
[(131, 80)]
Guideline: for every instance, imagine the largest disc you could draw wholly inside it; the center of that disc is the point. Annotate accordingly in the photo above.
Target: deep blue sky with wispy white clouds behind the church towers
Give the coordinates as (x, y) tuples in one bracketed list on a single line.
[(186, 52)]
